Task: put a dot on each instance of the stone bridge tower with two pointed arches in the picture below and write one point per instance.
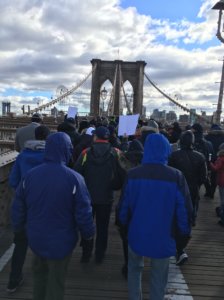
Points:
(113, 71)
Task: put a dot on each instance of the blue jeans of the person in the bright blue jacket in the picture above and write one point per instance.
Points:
(158, 276)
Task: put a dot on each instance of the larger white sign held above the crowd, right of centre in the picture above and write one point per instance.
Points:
(127, 125)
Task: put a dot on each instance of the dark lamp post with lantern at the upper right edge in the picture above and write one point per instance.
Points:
(220, 7)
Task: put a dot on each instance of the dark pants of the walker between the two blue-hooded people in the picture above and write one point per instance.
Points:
(102, 214)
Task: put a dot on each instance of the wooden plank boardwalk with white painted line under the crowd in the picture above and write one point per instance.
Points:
(202, 277)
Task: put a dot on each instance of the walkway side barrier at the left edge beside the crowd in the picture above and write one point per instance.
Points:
(6, 193)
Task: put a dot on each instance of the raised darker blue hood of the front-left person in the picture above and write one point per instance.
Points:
(58, 148)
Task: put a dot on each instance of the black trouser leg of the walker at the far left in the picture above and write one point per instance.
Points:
(18, 257)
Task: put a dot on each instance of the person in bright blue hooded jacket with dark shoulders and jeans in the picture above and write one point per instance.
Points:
(156, 207)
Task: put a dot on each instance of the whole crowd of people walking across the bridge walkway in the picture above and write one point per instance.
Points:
(64, 189)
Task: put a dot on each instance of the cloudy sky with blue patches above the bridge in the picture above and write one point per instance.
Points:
(48, 44)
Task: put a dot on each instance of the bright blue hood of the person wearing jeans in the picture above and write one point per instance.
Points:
(156, 149)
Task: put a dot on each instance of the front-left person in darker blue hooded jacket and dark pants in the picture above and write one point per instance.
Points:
(53, 204)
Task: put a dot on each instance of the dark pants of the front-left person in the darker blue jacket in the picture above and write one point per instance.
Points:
(49, 278)
